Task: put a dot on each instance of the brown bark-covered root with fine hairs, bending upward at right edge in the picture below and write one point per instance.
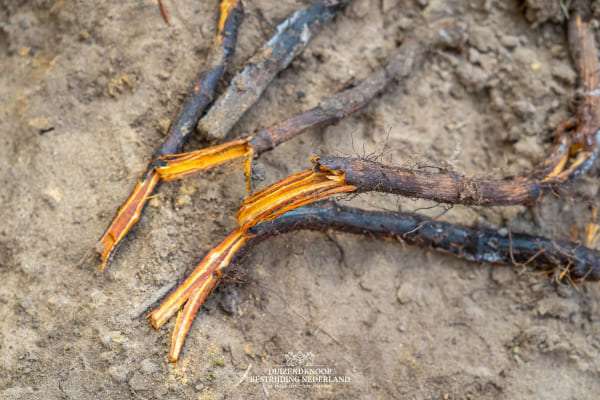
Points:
(579, 149)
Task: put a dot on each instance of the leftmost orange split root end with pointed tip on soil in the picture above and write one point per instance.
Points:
(126, 217)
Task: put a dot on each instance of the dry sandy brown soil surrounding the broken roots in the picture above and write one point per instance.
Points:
(86, 91)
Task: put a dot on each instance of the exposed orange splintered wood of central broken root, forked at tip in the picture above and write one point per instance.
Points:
(295, 191)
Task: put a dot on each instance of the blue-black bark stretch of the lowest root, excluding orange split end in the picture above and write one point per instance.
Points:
(479, 245)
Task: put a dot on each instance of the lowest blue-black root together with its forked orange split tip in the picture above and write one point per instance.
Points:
(473, 244)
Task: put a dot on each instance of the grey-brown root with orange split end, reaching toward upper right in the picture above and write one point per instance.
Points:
(400, 65)
